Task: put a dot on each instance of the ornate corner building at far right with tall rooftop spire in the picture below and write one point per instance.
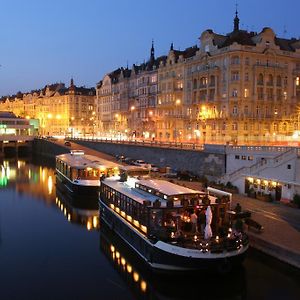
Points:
(244, 87)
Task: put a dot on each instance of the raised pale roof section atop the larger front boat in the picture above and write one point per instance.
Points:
(168, 188)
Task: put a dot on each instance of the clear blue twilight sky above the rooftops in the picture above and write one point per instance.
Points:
(48, 41)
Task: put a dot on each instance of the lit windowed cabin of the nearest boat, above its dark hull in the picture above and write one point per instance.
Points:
(161, 209)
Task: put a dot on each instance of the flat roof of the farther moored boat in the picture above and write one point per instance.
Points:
(85, 160)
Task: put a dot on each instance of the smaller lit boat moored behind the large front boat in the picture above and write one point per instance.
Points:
(80, 172)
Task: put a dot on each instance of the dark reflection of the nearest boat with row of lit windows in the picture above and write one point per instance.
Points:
(149, 285)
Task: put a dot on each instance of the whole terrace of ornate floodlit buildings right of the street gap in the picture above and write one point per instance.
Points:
(243, 87)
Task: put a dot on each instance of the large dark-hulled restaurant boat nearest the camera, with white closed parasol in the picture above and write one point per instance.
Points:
(155, 218)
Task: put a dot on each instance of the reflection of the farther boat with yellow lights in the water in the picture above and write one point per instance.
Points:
(83, 211)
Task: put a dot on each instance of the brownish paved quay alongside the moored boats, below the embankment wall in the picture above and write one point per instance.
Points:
(281, 235)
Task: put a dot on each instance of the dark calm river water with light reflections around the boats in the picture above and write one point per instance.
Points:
(53, 247)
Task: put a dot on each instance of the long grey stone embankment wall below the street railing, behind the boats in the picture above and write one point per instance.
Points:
(209, 162)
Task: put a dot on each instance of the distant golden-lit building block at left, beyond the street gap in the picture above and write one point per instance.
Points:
(60, 110)
